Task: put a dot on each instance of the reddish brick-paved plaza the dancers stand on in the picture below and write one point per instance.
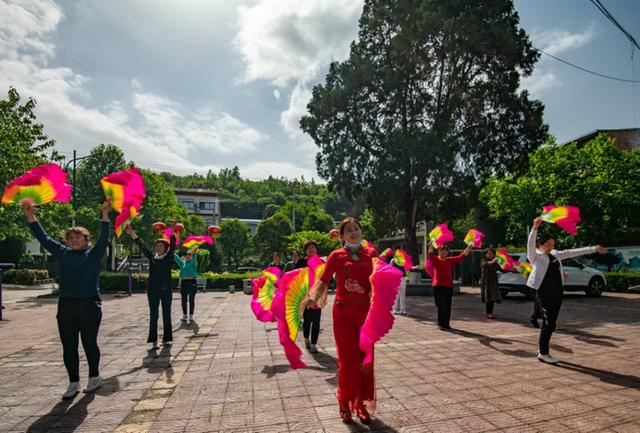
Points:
(227, 373)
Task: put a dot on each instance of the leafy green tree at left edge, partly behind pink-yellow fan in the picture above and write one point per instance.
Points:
(24, 145)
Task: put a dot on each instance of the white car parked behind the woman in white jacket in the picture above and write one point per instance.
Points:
(577, 277)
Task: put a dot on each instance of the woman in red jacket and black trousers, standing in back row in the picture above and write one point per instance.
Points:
(442, 282)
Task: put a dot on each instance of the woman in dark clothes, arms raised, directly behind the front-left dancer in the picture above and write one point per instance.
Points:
(159, 292)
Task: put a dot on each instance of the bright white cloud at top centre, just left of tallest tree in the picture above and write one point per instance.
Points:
(290, 43)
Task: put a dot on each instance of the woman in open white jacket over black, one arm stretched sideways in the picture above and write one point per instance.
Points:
(546, 278)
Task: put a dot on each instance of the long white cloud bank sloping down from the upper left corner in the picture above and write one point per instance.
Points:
(150, 128)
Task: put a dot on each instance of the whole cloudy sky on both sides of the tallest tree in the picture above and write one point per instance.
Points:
(191, 85)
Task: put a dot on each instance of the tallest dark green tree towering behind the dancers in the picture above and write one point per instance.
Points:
(426, 105)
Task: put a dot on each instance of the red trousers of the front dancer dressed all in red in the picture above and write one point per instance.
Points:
(356, 383)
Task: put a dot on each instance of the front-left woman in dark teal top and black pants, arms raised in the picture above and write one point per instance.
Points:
(79, 304)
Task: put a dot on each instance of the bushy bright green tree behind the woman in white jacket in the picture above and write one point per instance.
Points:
(597, 177)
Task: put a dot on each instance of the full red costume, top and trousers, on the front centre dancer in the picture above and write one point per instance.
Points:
(356, 384)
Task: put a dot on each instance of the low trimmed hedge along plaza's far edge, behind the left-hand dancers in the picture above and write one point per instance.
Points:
(115, 281)
